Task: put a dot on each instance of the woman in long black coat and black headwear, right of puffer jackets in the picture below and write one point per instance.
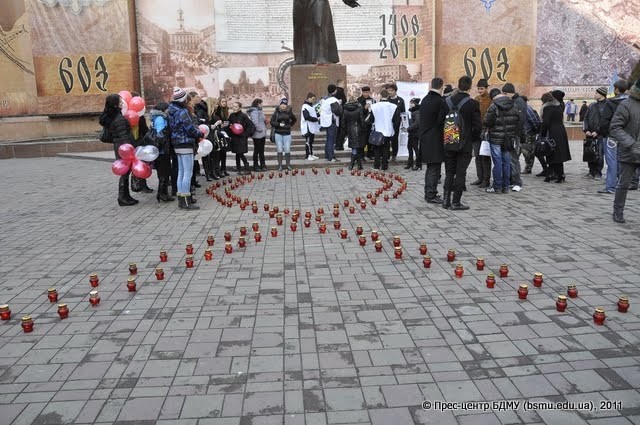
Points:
(553, 127)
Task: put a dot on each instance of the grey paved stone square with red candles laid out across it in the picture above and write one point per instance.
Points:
(308, 328)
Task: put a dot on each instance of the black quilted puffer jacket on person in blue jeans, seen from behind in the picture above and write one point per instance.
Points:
(502, 120)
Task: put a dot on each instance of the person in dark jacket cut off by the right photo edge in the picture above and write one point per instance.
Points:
(625, 128)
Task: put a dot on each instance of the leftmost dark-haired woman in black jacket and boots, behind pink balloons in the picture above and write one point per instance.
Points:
(121, 134)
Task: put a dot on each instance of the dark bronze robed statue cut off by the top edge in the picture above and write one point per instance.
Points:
(314, 40)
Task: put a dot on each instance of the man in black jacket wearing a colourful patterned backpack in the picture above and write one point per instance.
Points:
(456, 163)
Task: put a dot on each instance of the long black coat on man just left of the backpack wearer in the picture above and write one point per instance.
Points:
(430, 128)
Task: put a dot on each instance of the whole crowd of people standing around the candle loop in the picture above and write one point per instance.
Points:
(447, 127)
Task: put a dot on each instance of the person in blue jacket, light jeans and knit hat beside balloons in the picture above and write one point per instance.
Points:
(183, 137)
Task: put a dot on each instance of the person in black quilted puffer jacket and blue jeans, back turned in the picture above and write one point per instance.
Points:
(502, 123)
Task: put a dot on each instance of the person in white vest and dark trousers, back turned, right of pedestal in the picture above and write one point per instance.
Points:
(385, 116)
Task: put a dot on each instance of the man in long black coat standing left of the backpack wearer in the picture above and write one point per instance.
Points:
(431, 148)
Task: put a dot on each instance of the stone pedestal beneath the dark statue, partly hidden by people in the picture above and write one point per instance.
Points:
(314, 79)
